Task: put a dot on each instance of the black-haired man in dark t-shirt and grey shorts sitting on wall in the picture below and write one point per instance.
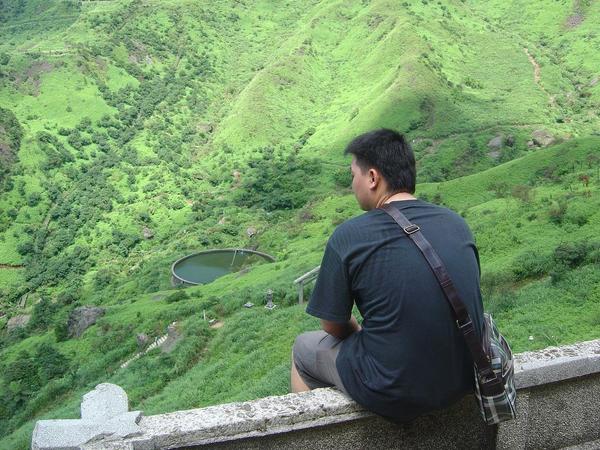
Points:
(408, 356)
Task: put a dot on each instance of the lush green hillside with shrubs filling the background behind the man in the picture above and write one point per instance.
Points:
(222, 124)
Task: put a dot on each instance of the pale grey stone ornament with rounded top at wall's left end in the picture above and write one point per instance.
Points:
(104, 415)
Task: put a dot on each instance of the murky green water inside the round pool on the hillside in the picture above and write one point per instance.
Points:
(206, 267)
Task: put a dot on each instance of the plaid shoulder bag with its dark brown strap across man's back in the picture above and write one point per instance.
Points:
(493, 362)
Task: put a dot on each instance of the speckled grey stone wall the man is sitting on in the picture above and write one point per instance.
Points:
(558, 407)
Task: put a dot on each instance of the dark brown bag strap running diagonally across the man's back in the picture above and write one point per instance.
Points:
(461, 314)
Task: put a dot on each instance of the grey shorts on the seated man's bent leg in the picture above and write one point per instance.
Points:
(314, 354)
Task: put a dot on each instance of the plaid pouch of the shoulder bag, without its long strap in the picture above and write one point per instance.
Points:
(496, 393)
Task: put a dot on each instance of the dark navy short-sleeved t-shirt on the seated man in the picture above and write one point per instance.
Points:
(409, 357)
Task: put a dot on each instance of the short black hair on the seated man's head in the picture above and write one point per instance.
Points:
(389, 153)
